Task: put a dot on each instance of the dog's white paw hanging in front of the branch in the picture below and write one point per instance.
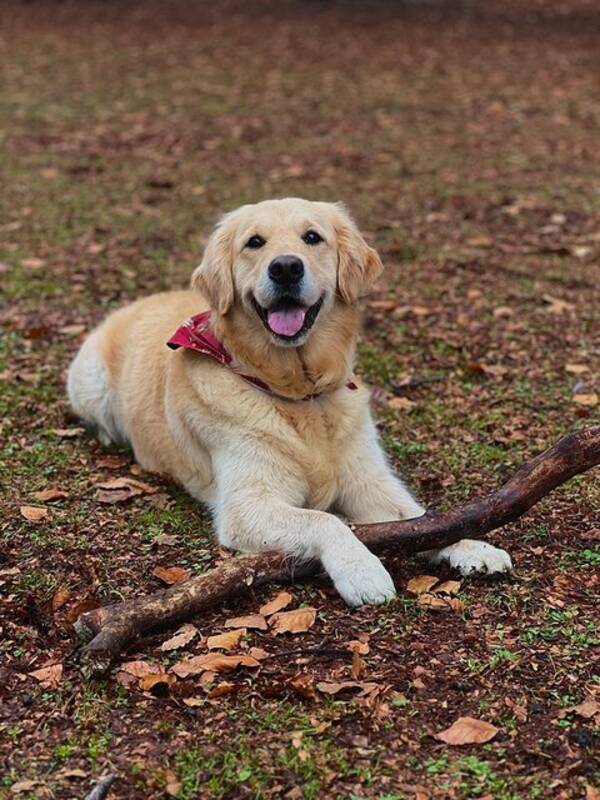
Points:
(359, 576)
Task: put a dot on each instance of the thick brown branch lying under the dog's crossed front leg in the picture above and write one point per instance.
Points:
(113, 627)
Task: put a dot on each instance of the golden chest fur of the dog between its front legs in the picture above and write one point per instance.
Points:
(324, 431)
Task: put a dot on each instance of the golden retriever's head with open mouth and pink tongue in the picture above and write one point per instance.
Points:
(287, 263)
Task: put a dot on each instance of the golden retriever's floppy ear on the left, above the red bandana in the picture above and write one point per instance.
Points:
(214, 277)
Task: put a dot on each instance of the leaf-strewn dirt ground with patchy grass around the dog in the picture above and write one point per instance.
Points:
(465, 138)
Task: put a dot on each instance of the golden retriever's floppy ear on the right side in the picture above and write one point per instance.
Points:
(359, 265)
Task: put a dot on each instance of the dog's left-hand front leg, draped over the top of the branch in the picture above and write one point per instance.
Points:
(257, 508)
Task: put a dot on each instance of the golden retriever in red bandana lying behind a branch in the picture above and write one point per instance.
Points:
(254, 407)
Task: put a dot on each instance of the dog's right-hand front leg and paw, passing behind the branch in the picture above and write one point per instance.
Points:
(370, 492)
